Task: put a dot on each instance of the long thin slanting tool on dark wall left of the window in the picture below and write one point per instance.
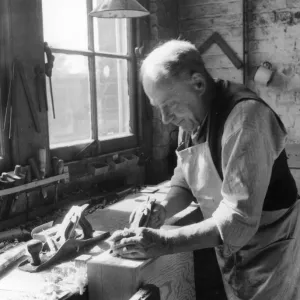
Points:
(20, 70)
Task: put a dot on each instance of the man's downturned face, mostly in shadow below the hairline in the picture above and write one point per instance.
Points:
(178, 102)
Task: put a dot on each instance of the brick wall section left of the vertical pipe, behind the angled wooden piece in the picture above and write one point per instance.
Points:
(199, 19)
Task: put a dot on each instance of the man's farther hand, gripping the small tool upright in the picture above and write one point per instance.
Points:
(156, 219)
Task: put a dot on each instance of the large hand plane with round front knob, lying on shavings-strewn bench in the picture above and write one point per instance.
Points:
(53, 245)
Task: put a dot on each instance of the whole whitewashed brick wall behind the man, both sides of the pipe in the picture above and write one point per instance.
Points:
(273, 35)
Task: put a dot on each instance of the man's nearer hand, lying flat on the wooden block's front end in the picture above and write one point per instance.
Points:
(141, 243)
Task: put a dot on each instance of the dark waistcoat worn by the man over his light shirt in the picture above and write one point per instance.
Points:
(282, 190)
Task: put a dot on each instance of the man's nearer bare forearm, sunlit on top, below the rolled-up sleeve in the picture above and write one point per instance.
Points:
(197, 236)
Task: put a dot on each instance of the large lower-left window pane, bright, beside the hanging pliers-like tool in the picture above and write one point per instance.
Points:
(70, 82)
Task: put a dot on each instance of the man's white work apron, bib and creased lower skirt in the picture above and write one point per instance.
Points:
(268, 267)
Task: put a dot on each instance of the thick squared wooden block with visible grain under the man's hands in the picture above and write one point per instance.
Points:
(113, 278)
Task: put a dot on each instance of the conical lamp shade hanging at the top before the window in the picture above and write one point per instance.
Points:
(119, 9)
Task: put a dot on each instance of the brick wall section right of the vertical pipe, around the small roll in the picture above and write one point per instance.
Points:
(274, 28)
